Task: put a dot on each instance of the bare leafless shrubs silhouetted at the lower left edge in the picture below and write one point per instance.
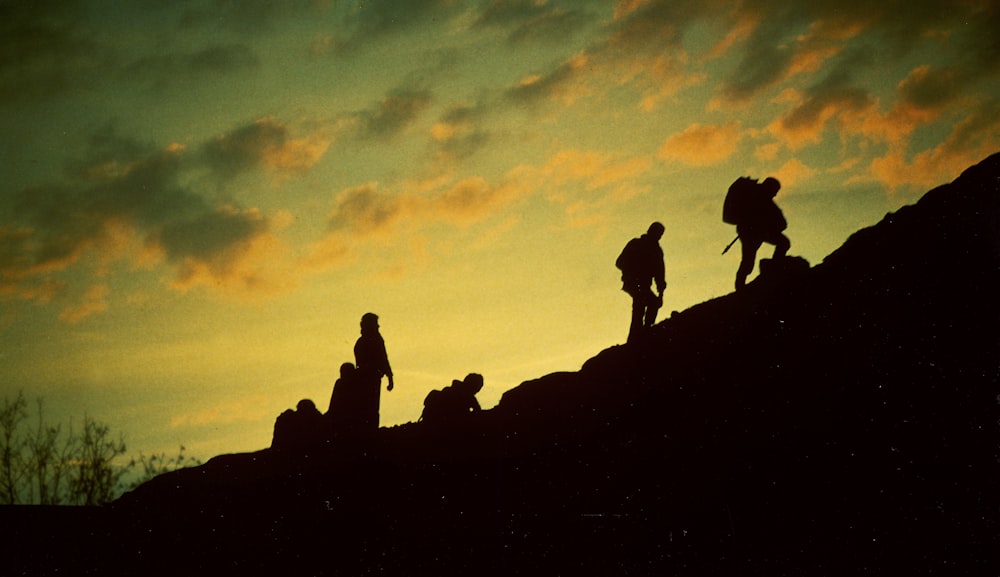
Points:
(46, 464)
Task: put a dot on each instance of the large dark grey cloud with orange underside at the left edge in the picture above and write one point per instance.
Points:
(129, 201)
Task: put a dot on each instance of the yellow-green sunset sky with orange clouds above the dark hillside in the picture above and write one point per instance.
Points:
(200, 199)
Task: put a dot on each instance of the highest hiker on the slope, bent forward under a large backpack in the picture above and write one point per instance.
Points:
(750, 206)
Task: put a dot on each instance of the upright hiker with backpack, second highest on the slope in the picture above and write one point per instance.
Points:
(641, 263)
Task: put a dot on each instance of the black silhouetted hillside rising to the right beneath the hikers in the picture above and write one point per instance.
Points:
(833, 420)
